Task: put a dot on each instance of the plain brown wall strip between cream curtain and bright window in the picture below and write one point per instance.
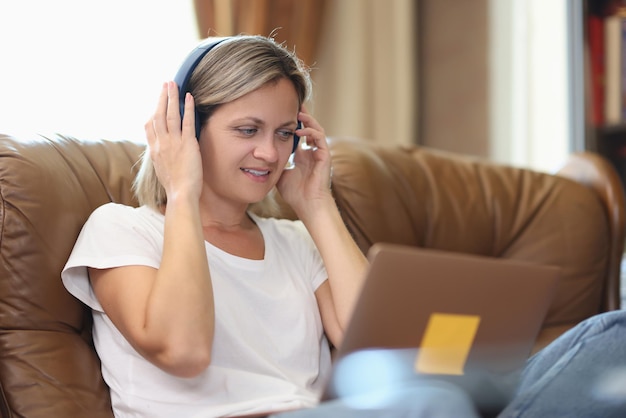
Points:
(454, 75)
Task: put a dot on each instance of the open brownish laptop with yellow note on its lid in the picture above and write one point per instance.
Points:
(466, 320)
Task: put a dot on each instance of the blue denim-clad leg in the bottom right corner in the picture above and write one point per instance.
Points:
(581, 374)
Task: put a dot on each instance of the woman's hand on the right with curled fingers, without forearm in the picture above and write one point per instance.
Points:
(308, 184)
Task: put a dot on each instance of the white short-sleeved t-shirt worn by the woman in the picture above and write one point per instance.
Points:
(269, 349)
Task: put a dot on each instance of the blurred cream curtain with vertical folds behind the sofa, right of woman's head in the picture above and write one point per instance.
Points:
(366, 72)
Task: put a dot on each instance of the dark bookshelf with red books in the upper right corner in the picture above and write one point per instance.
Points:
(605, 80)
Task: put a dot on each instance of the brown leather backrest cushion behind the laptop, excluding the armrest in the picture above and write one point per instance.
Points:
(435, 199)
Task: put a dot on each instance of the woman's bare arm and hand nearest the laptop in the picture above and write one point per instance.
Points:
(307, 190)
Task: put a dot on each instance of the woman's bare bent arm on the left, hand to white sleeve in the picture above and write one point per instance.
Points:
(167, 314)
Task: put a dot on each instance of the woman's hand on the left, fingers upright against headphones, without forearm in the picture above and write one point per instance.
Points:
(175, 152)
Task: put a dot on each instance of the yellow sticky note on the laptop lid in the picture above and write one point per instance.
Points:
(446, 343)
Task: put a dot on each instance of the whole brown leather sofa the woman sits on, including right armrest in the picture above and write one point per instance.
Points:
(414, 196)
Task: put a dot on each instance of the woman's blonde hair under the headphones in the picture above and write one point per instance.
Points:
(231, 69)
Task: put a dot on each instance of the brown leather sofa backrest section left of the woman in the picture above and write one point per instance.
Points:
(48, 188)
